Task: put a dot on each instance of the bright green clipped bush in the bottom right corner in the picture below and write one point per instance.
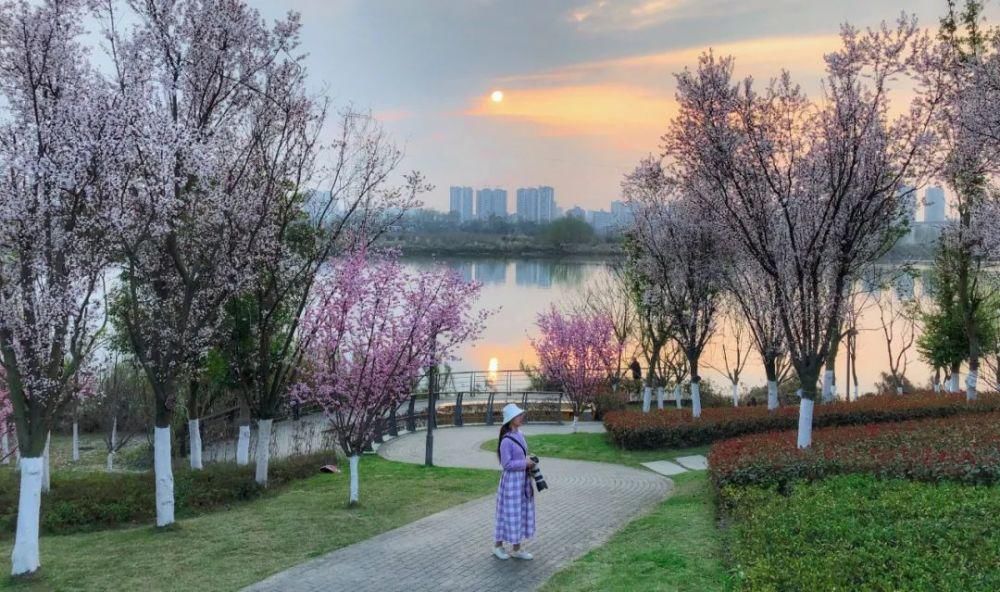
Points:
(862, 533)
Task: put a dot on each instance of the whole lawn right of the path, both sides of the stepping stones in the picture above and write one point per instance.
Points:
(675, 547)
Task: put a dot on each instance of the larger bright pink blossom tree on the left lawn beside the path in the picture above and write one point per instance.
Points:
(374, 330)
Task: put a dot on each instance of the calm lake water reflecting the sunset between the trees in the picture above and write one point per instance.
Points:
(522, 288)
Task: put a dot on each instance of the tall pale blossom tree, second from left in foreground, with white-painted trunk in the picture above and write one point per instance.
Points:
(220, 127)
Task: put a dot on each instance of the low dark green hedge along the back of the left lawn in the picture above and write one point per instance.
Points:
(95, 501)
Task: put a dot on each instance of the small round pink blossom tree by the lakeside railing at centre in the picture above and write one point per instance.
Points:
(577, 351)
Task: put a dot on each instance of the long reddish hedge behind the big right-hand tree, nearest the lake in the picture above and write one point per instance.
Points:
(678, 429)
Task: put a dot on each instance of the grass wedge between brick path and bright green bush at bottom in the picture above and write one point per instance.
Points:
(676, 547)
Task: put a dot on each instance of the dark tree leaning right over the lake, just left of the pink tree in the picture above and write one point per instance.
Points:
(262, 343)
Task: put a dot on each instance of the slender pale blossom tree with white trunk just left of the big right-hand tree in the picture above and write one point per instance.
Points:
(684, 258)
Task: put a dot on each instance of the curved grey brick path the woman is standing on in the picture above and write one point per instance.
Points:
(585, 504)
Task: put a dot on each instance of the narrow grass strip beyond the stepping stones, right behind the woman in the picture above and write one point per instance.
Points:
(597, 448)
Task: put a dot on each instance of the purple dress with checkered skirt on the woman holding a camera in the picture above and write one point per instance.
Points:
(515, 497)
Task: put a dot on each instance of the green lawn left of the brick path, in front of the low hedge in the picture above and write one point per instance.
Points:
(227, 550)
